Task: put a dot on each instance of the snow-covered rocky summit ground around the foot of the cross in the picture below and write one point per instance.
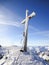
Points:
(13, 56)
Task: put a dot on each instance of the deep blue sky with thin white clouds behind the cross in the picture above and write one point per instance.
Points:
(12, 12)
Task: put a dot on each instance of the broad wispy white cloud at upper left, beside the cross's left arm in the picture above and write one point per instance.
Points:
(7, 17)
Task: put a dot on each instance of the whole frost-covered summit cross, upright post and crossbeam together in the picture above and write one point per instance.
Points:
(25, 22)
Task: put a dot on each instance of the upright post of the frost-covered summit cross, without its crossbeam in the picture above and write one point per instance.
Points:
(26, 31)
